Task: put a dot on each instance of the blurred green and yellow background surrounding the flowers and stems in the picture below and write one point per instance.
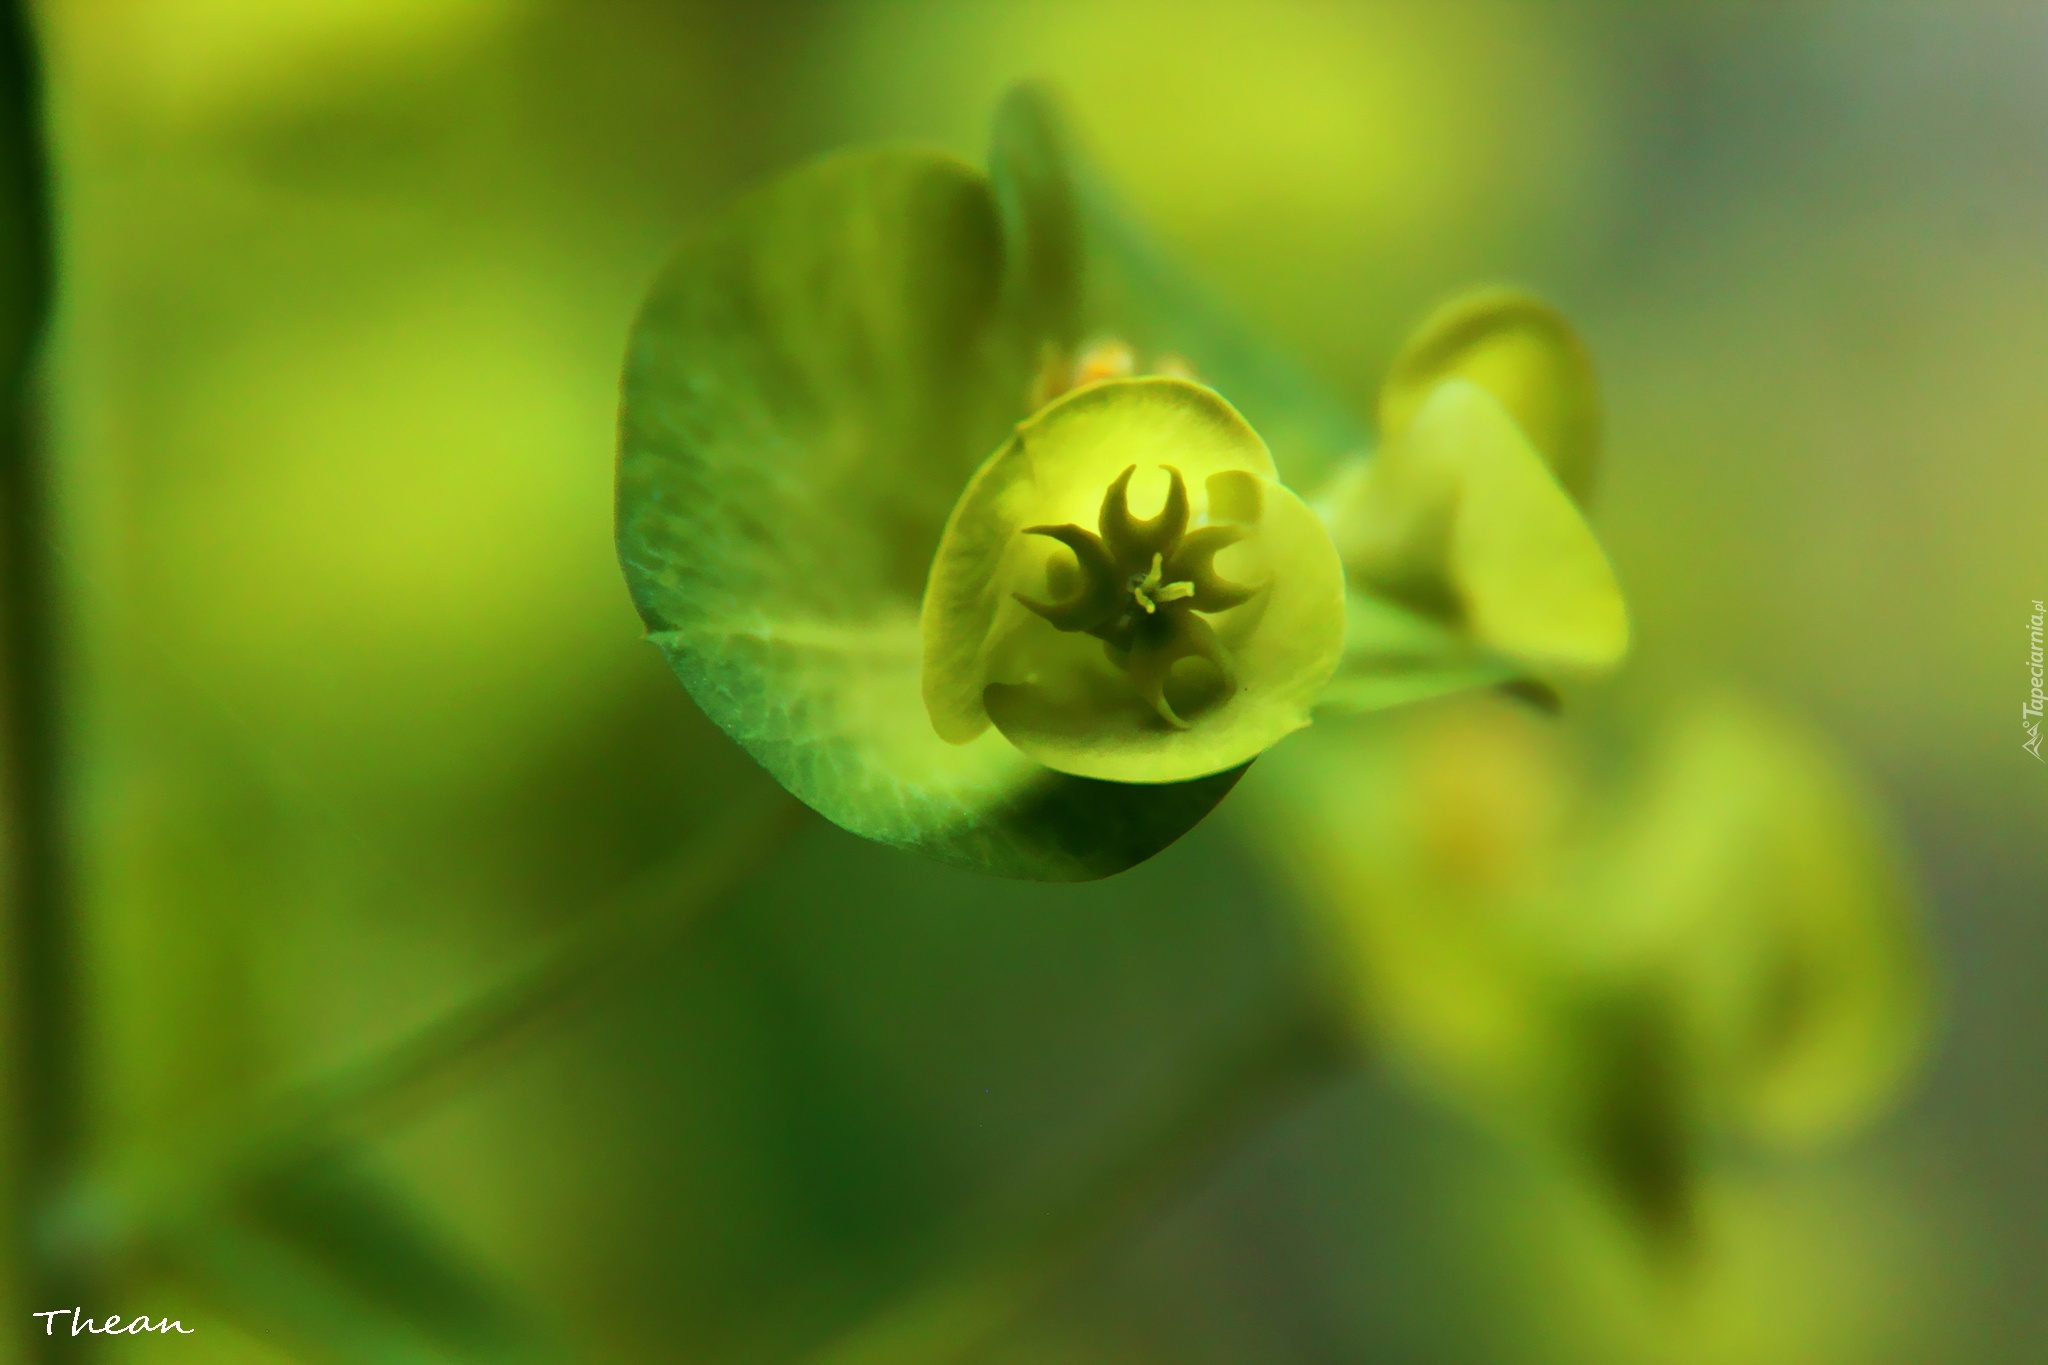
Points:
(364, 711)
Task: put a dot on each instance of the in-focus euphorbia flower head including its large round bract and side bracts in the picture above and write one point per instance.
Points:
(976, 590)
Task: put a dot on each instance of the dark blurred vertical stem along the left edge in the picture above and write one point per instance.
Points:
(42, 928)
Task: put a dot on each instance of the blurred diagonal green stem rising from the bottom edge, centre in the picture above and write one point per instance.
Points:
(988, 1288)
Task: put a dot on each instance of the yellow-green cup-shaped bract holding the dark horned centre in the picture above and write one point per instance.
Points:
(1127, 590)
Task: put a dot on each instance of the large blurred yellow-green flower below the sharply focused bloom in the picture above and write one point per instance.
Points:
(1721, 946)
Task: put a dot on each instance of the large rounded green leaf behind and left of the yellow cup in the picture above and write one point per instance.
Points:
(810, 388)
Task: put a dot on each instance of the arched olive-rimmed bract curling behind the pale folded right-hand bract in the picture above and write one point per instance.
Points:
(1523, 353)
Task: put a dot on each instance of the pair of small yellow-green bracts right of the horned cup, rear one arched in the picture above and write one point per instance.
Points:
(1463, 539)
